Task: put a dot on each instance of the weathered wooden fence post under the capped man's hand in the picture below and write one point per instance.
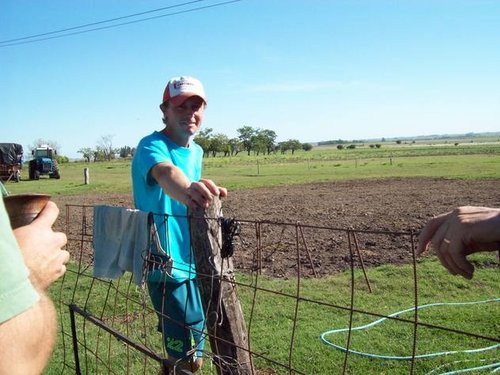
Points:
(225, 322)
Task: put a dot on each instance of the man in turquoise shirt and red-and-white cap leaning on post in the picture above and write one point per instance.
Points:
(166, 179)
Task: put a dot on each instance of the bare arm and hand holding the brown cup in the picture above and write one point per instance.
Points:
(27, 339)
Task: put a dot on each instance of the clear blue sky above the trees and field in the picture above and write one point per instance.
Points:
(311, 70)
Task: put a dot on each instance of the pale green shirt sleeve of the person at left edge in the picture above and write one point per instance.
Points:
(16, 291)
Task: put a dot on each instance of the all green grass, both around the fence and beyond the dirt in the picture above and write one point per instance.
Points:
(315, 312)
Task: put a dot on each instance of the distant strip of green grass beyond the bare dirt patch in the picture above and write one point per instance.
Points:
(471, 161)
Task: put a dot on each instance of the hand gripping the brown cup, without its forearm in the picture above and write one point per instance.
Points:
(41, 248)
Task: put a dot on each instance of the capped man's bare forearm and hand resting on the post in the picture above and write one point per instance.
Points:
(177, 186)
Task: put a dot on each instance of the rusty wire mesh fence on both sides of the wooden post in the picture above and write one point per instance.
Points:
(299, 317)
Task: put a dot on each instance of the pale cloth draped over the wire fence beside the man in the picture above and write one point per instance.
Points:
(121, 241)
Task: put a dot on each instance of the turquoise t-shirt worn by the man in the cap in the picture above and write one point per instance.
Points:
(173, 228)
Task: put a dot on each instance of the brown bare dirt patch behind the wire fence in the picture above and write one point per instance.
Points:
(382, 205)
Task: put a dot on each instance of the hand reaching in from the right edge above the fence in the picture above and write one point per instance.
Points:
(461, 232)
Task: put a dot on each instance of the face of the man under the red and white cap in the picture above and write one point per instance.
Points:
(186, 119)
